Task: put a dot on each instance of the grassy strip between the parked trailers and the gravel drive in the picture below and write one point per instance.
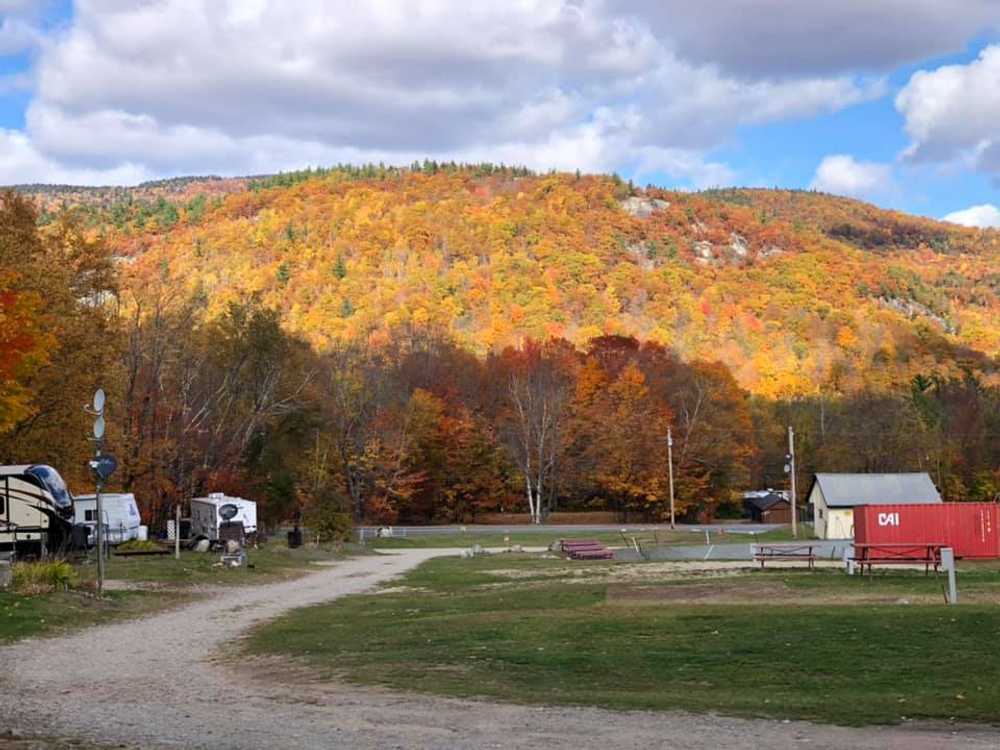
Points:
(54, 613)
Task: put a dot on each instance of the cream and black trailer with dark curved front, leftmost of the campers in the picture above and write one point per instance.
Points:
(36, 509)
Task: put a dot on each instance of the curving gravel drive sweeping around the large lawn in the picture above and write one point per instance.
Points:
(152, 683)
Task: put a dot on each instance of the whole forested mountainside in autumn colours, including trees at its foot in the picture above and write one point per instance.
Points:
(250, 324)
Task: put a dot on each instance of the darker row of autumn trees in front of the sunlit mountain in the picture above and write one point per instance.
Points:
(412, 427)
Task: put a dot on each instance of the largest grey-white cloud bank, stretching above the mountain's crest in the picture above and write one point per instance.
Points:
(232, 86)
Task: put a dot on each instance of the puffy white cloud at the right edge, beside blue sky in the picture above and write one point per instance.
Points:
(953, 113)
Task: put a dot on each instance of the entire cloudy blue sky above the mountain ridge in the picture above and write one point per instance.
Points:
(892, 101)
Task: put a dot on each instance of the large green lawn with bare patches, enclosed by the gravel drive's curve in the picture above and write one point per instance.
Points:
(819, 646)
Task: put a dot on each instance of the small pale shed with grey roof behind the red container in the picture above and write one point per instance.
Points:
(833, 497)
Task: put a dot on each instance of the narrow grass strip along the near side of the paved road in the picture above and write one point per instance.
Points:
(544, 538)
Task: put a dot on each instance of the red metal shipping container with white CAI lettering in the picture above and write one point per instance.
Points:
(971, 529)
